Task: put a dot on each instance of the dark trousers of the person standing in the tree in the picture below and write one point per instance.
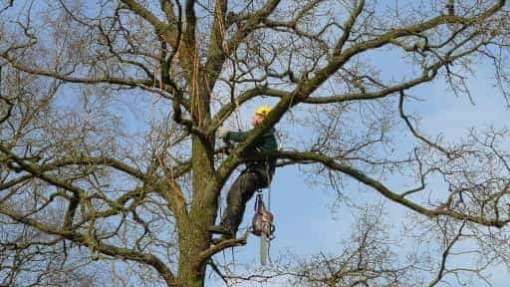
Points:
(239, 194)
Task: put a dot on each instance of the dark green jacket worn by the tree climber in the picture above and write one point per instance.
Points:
(265, 143)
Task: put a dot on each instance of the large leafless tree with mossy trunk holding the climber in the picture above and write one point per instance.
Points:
(109, 111)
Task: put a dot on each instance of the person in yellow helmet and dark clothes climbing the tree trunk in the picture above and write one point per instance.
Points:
(256, 175)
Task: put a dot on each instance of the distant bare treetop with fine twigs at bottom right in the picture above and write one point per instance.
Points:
(374, 255)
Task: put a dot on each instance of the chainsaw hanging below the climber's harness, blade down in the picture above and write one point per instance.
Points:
(262, 226)
